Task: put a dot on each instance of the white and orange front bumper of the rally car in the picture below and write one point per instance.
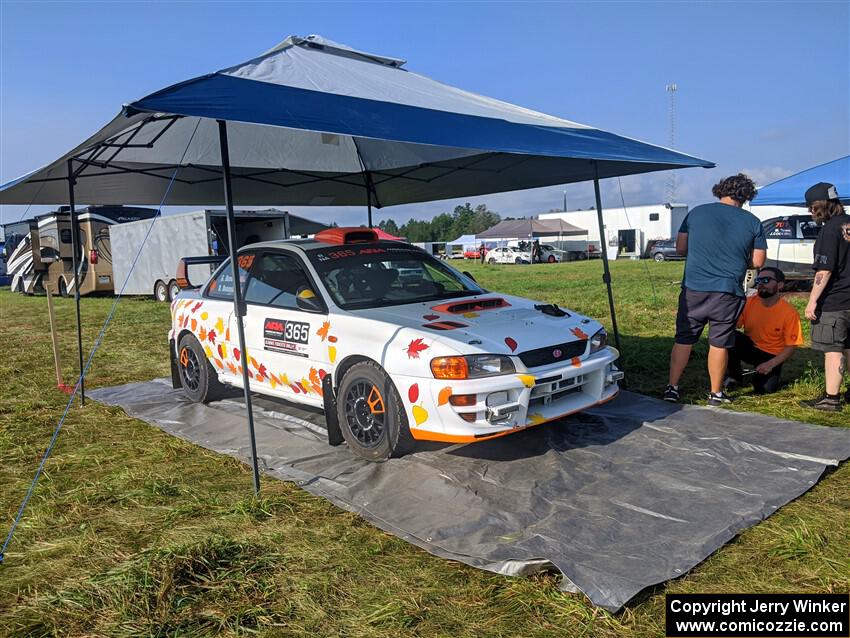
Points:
(506, 403)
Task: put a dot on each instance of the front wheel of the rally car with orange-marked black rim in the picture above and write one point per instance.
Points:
(371, 416)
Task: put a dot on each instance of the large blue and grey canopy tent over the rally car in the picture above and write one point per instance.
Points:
(313, 122)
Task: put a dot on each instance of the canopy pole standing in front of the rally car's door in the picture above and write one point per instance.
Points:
(238, 303)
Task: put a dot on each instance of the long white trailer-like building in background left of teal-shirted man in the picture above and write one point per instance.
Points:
(631, 228)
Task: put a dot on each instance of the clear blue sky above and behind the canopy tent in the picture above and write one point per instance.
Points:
(764, 87)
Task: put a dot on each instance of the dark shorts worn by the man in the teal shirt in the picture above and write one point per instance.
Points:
(718, 309)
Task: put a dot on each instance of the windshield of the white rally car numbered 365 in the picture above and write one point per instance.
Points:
(372, 276)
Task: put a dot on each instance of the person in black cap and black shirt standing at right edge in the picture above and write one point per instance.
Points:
(829, 302)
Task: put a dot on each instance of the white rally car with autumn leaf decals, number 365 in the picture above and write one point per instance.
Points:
(392, 343)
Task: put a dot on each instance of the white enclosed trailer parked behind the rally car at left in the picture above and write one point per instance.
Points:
(193, 234)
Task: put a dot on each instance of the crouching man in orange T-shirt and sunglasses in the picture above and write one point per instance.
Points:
(771, 334)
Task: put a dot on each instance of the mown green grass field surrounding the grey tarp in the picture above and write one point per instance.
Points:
(133, 532)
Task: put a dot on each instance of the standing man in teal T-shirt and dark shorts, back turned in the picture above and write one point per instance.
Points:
(720, 241)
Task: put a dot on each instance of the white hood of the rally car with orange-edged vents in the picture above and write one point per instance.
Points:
(489, 323)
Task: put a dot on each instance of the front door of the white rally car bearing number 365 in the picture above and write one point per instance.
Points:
(283, 340)
